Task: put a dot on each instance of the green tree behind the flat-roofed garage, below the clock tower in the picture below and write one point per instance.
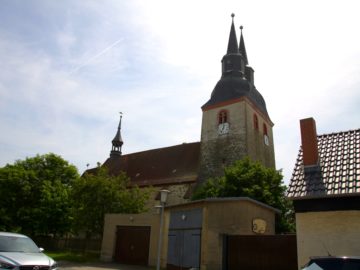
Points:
(250, 179)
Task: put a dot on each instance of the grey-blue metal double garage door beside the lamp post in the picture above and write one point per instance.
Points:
(184, 241)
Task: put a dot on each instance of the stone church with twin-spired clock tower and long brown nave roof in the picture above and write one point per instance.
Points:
(235, 124)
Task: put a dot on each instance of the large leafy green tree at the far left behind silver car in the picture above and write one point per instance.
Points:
(35, 195)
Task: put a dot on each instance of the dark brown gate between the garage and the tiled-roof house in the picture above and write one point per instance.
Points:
(264, 252)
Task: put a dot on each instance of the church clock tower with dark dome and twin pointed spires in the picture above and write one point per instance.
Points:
(235, 122)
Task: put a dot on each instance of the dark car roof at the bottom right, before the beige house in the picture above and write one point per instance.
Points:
(333, 263)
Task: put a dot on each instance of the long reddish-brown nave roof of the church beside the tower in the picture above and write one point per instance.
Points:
(170, 165)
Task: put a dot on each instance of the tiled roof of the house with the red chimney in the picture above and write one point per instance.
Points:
(339, 171)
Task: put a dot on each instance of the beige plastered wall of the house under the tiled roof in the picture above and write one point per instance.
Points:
(320, 233)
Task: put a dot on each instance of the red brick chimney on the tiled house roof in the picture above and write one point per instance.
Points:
(309, 142)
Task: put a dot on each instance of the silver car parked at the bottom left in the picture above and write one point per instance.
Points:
(19, 252)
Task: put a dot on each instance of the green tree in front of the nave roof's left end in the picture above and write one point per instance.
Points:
(98, 193)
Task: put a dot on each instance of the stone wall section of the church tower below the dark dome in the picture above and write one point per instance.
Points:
(218, 151)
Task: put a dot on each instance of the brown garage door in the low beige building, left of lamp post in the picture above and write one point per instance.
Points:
(132, 245)
